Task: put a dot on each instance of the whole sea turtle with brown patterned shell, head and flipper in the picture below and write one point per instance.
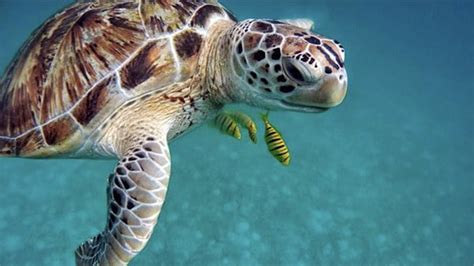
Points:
(121, 79)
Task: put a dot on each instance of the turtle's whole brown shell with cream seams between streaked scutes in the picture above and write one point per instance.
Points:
(89, 59)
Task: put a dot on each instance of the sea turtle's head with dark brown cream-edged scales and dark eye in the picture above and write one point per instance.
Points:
(280, 65)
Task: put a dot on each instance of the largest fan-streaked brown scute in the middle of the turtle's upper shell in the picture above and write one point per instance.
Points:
(94, 47)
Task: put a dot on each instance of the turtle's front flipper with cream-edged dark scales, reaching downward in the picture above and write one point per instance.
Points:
(135, 195)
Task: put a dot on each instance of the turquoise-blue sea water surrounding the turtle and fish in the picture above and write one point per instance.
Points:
(384, 179)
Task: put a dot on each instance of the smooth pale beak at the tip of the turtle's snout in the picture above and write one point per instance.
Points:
(328, 92)
